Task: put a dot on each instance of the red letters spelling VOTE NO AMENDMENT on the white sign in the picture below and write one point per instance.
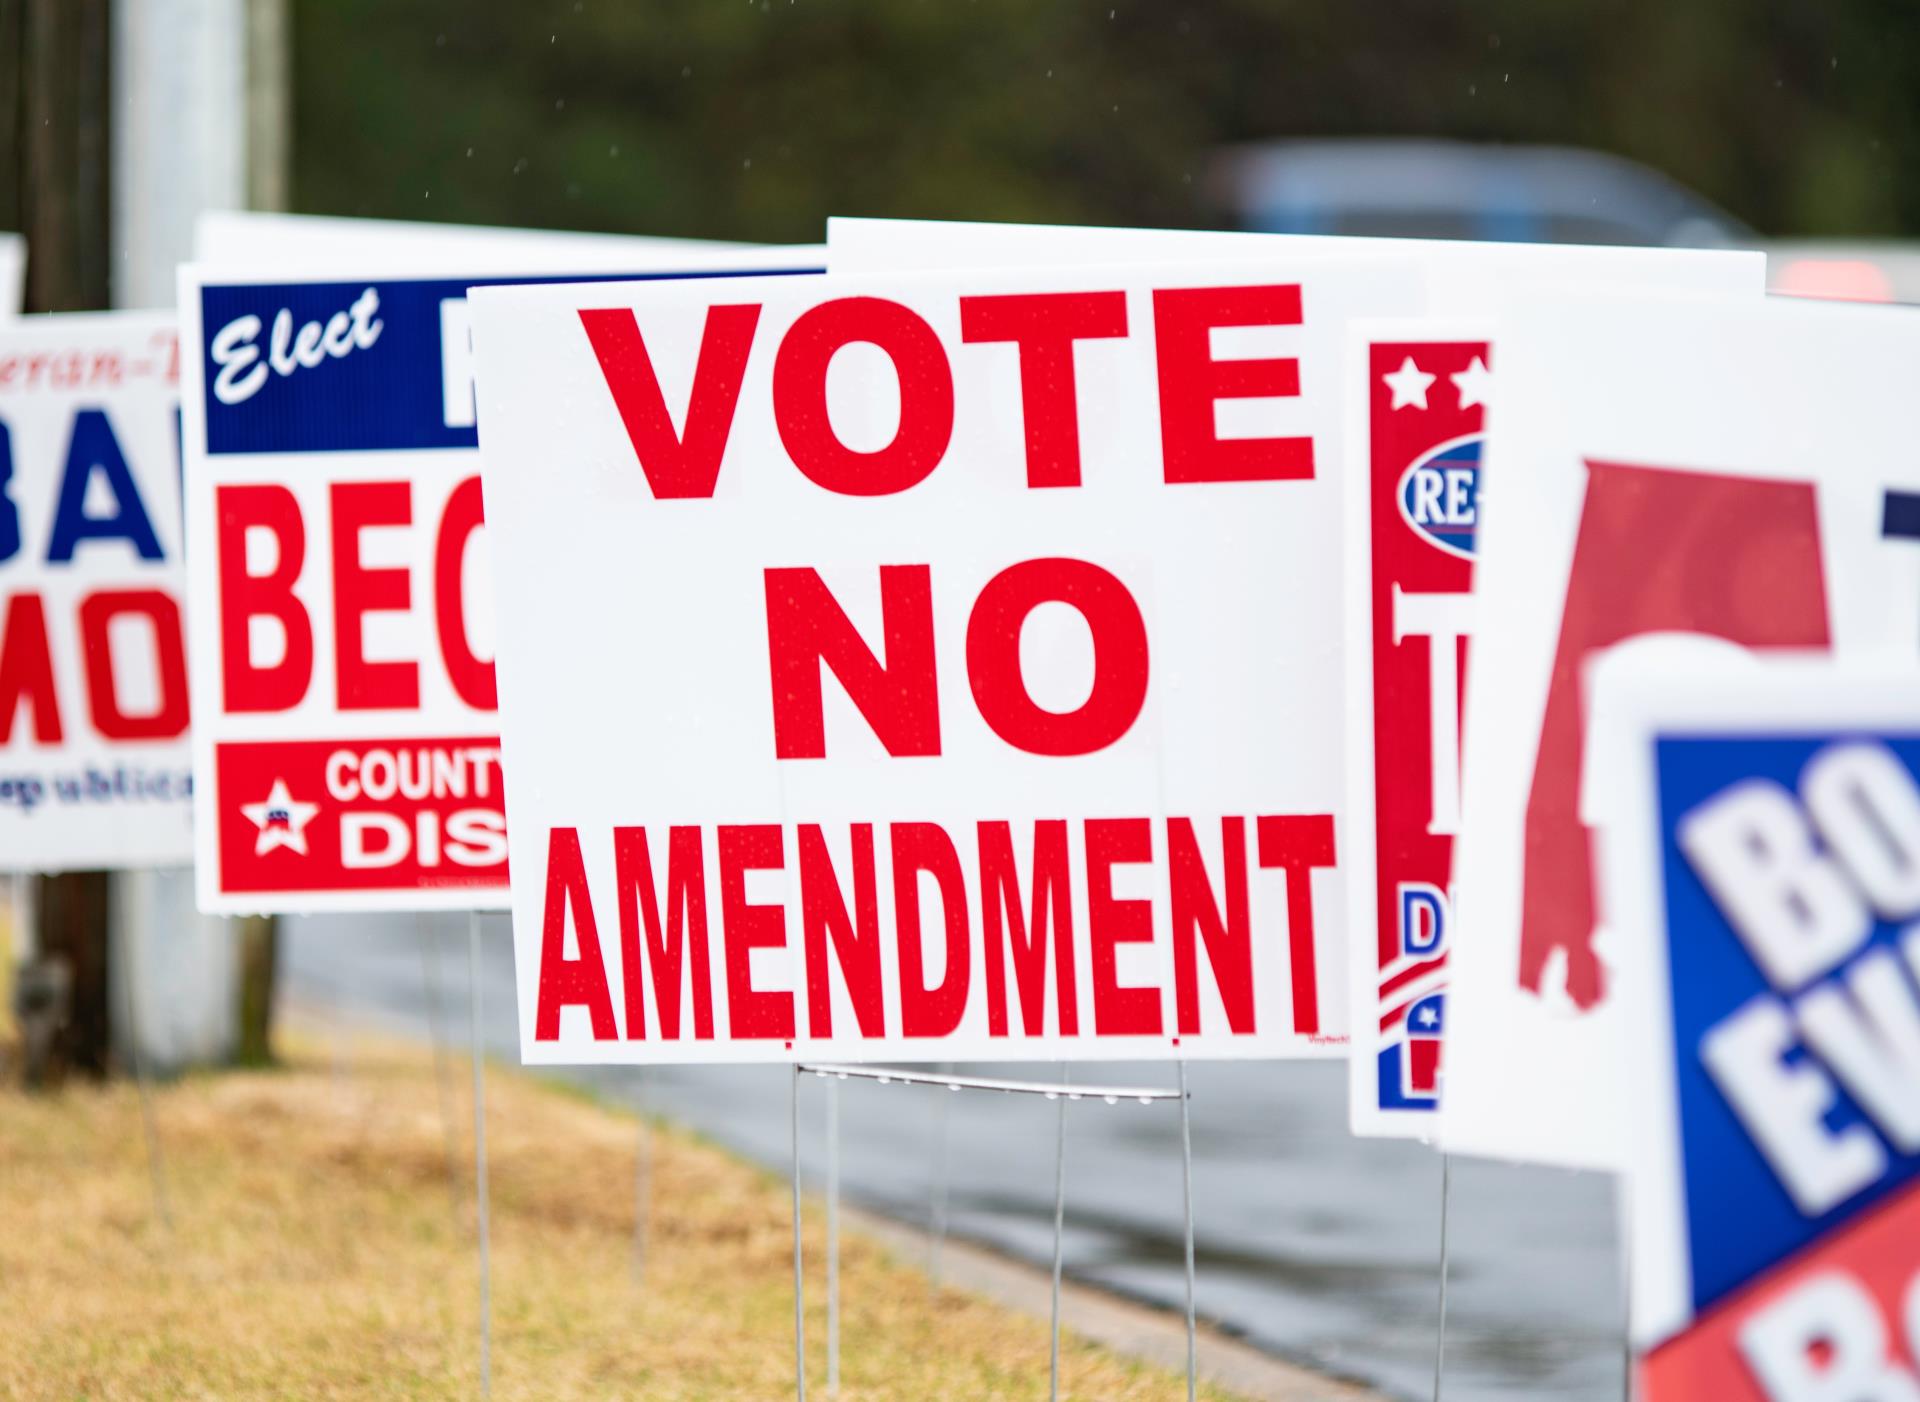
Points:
(683, 913)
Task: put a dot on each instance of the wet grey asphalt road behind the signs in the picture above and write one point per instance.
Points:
(1310, 1244)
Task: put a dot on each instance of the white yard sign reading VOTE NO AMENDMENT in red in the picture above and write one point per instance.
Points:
(924, 667)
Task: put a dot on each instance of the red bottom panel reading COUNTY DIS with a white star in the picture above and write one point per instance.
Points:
(389, 815)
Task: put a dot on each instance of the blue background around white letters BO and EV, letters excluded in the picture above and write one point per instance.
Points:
(1740, 1217)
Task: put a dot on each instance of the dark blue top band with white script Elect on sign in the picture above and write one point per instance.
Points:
(329, 368)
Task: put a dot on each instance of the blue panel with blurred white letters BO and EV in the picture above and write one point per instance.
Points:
(1788, 1088)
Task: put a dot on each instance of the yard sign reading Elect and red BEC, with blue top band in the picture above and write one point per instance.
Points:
(347, 748)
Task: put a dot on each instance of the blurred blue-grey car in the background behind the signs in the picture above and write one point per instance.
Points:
(1537, 195)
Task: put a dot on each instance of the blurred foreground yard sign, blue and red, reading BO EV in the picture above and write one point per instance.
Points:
(1765, 865)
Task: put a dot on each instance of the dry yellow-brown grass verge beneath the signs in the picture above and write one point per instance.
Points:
(318, 1253)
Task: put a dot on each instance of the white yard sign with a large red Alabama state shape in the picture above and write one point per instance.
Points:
(1671, 475)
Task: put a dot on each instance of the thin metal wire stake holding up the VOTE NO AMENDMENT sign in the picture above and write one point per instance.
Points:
(1063, 1092)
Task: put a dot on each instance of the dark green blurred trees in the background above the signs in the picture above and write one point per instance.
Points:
(757, 118)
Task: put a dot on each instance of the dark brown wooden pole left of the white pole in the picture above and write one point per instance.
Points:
(55, 139)
